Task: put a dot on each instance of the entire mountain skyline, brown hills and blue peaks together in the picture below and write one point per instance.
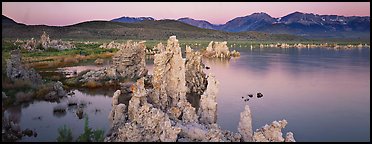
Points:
(257, 26)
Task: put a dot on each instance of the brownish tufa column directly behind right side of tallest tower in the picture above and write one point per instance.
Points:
(196, 81)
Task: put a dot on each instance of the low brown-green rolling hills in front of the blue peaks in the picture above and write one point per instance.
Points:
(142, 29)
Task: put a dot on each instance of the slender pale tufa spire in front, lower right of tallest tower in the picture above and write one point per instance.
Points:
(208, 102)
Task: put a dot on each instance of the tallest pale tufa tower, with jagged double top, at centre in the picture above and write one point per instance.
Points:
(169, 75)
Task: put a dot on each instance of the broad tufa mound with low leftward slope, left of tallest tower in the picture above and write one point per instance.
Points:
(128, 62)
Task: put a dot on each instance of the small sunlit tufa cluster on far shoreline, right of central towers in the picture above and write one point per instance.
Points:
(219, 50)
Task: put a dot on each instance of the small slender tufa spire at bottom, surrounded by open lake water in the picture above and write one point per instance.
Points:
(245, 124)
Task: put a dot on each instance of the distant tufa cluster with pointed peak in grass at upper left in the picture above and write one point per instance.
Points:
(45, 43)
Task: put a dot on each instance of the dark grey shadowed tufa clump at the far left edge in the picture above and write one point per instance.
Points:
(15, 70)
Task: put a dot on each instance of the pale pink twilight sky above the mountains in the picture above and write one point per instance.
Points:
(68, 13)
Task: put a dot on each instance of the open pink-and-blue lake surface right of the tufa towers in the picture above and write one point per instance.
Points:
(314, 89)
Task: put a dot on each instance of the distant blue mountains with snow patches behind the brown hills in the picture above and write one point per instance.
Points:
(297, 23)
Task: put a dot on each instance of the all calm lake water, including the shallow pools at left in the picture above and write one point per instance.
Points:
(323, 93)
